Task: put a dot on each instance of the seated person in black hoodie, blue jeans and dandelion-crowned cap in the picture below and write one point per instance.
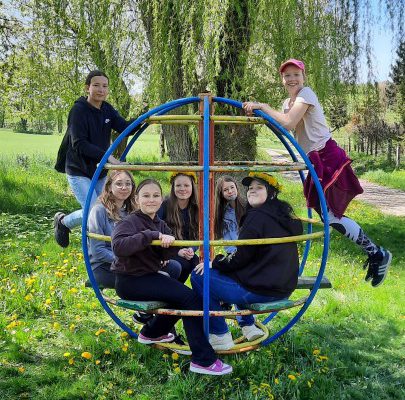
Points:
(254, 274)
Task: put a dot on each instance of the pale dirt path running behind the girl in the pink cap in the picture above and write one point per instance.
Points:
(387, 200)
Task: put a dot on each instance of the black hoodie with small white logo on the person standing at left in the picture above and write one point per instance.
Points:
(89, 136)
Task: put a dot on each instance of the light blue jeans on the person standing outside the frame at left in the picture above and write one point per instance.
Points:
(80, 186)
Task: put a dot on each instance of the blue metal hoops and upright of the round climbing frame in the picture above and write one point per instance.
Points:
(283, 135)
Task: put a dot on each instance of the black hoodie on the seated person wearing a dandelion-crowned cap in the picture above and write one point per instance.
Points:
(270, 270)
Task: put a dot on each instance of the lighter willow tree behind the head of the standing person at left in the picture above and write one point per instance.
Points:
(88, 35)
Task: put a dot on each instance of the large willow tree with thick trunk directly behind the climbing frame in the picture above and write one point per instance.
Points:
(233, 48)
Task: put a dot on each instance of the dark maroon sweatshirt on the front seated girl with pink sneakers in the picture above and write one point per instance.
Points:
(131, 244)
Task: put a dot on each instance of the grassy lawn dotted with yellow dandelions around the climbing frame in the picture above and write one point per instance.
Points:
(56, 341)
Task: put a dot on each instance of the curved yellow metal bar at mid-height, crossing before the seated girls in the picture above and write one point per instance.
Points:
(246, 242)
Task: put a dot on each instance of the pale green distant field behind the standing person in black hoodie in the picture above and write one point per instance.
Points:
(12, 143)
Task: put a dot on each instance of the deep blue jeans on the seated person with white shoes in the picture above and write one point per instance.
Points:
(225, 289)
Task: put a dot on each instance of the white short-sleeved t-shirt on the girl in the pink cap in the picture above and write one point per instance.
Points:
(311, 132)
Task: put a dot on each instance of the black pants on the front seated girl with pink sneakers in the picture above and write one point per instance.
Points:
(162, 288)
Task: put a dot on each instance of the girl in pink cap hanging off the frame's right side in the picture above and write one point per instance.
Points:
(303, 114)
